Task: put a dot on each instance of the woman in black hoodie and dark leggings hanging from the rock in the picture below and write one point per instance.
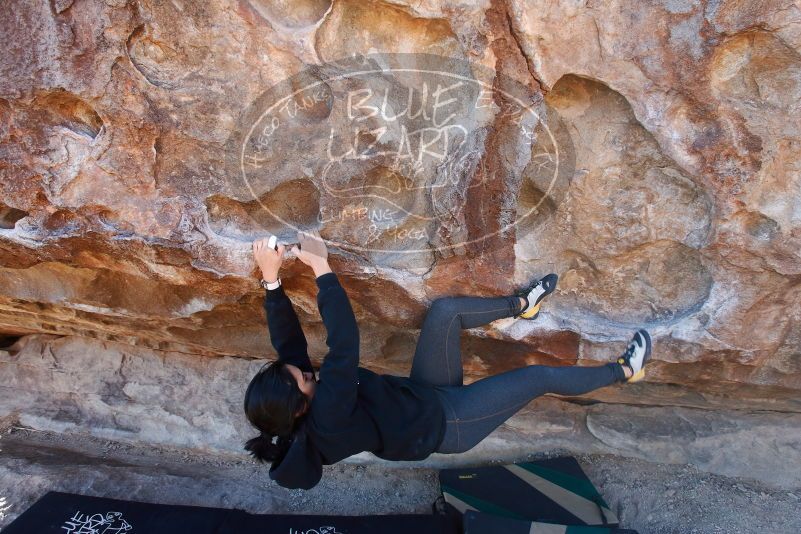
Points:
(306, 422)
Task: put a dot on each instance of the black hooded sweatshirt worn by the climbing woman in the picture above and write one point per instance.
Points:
(353, 409)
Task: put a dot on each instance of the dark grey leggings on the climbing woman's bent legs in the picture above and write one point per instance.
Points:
(472, 412)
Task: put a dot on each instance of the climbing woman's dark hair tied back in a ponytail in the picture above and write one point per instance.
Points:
(271, 402)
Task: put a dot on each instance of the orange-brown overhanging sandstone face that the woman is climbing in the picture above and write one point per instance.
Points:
(128, 202)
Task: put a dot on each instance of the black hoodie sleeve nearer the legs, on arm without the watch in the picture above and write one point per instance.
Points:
(335, 398)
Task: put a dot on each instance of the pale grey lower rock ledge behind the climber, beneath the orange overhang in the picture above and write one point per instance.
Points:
(113, 391)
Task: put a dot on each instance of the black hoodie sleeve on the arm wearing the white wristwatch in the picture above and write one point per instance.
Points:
(286, 334)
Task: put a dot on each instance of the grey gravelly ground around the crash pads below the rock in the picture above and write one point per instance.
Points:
(647, 497)
